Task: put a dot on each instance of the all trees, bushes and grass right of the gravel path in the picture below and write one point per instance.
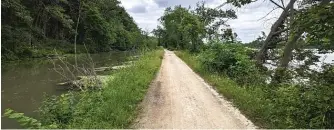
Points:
(282, 97)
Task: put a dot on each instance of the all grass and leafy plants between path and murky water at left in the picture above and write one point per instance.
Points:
(114, 106)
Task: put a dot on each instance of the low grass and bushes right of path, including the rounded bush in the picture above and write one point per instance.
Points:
(279, 106)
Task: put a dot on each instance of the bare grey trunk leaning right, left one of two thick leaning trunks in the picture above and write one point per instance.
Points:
(274, 29)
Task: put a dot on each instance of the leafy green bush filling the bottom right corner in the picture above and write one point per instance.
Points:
(310, 106)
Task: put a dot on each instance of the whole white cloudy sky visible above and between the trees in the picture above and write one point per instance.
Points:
(252, 18)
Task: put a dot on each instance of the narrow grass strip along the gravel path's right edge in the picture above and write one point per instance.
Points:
(251, 102)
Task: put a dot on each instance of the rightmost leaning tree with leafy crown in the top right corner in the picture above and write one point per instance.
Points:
(316, 22)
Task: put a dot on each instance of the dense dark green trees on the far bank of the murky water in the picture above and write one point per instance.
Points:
(33, 28)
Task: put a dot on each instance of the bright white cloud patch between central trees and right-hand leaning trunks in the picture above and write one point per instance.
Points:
(253, 19)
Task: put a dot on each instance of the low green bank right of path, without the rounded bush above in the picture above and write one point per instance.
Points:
(284, 106)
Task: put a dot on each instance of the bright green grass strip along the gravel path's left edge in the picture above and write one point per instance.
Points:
(115, 107)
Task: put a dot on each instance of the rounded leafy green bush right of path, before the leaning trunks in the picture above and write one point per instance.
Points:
(232, 60)
